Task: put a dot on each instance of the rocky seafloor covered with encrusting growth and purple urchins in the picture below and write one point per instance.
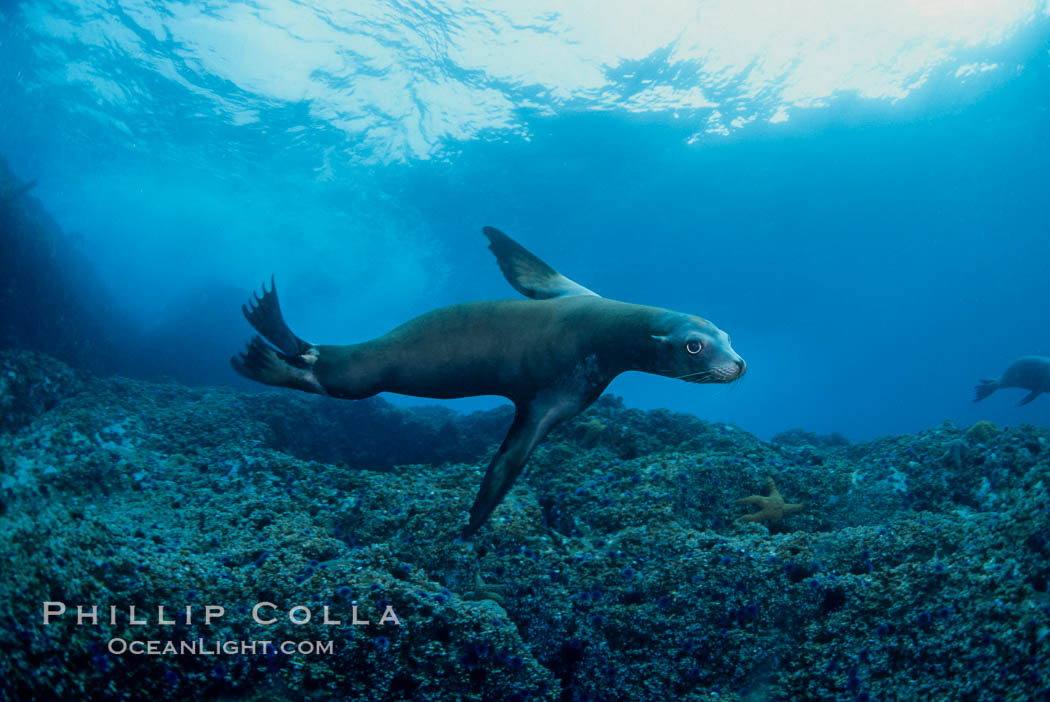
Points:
(619, 570)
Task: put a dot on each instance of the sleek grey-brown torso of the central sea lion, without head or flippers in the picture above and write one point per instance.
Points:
(511, 348)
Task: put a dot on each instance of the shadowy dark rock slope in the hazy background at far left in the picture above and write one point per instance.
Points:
(53, 302)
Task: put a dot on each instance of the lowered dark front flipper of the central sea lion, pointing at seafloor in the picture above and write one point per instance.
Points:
(531, 426)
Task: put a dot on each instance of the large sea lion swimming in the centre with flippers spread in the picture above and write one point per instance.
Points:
(553, 356)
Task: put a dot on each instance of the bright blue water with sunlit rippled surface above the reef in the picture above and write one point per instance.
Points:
(873, 256)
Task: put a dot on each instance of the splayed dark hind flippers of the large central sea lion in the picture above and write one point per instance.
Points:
(289, 361)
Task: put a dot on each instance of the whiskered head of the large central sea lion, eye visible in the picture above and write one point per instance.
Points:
(695, 350)
